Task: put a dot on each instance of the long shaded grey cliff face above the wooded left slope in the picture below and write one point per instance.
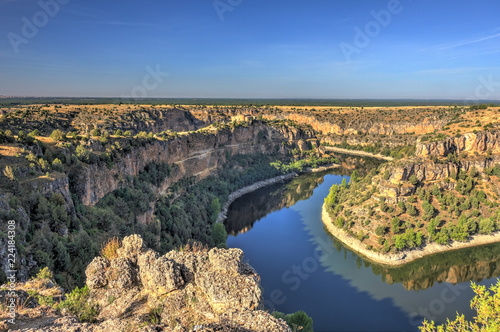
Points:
(195, 154)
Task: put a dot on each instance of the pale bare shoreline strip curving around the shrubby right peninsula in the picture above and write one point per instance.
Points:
(401, 258)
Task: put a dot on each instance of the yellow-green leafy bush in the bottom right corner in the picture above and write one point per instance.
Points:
(486, 320)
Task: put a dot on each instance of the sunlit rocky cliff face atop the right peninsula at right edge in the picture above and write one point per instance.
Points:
(470, 143)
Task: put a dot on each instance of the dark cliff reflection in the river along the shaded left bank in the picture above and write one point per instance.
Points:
(248, 209)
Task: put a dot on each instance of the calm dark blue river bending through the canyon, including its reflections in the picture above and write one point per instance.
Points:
(304, 268)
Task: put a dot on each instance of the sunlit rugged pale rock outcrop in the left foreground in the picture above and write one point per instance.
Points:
(139, 290)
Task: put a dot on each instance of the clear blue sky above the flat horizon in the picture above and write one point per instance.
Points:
(261, 48)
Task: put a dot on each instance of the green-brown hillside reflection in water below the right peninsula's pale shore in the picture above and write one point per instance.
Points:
(471, 264)
